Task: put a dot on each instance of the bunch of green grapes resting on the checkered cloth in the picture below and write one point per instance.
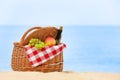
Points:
(37, 43)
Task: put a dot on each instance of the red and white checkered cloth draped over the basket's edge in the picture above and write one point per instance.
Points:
(38, 57)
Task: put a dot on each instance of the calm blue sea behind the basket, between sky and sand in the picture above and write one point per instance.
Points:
(89, 48)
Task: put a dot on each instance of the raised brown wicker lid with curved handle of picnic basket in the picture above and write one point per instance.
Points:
(39, 32)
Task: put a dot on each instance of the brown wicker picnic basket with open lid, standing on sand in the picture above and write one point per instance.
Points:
(20, 61)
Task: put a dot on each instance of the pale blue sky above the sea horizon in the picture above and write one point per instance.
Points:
(59, 12)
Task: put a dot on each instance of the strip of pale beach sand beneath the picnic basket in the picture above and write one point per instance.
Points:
(66, 75)
